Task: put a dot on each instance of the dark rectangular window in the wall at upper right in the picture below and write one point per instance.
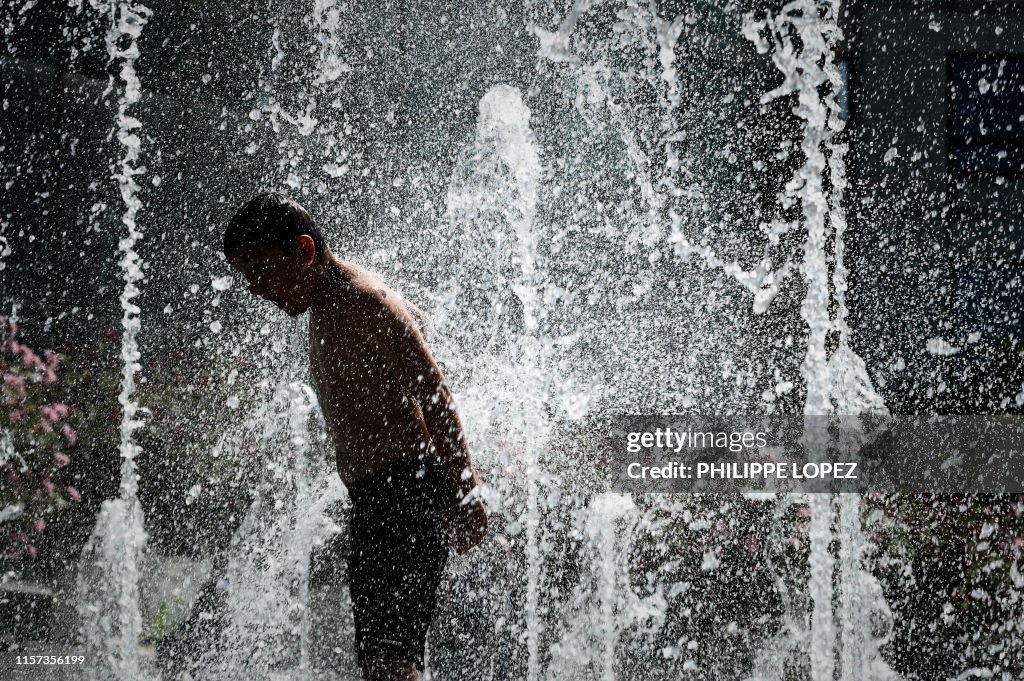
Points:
(987, 114)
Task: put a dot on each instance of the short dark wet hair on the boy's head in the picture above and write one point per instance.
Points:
(272, 219)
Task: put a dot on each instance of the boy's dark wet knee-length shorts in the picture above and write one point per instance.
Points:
(399, 551)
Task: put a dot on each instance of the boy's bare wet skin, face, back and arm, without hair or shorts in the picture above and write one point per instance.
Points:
(382, 395)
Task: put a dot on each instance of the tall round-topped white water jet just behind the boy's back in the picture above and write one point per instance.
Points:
(500, 182)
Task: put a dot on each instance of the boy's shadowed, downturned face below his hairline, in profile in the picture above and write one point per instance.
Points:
(276, 276)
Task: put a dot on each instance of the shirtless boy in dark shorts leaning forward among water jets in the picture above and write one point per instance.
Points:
(399, 442)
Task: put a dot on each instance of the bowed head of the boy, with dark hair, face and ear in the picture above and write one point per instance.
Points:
(277, 245)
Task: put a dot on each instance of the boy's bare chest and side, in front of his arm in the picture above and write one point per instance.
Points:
(372, 418)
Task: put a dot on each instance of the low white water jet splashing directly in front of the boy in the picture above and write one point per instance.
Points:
(267, 583)
